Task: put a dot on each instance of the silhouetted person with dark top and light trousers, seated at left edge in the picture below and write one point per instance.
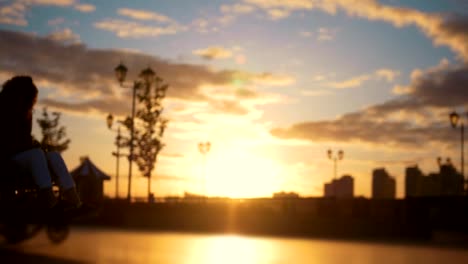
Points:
(17, 99)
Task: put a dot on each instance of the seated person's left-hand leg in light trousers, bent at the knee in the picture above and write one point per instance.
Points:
(34, 163)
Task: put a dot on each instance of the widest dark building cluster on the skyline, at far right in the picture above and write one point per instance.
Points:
(447, 182)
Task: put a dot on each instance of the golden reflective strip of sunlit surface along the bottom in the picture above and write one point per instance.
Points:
(112, 246)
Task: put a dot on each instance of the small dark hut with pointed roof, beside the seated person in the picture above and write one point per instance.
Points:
(89, 181)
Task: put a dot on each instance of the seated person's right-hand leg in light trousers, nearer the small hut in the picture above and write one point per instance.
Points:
(65, 181)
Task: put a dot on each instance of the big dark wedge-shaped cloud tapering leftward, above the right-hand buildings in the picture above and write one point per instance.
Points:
(415, 118)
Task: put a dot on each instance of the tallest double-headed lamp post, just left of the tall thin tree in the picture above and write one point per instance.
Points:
(146, 77)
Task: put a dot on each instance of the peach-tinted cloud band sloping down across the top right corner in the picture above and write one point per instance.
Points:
(447, 30)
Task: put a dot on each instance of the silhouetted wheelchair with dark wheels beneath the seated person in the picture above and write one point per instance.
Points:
(21, 215)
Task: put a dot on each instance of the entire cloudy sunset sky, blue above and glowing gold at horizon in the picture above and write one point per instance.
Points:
(272, 84)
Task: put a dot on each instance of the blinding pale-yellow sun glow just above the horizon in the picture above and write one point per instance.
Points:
(241, 174)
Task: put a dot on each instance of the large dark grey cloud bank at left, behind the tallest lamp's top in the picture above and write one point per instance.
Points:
(76, 68)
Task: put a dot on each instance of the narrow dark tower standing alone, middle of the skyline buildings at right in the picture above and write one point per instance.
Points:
(383, 185)
